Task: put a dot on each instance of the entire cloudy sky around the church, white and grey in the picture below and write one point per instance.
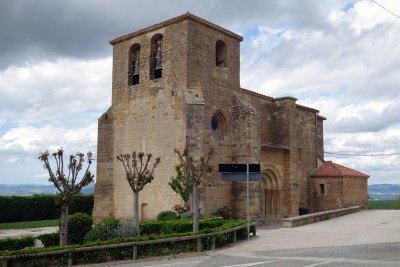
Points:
(339, 56)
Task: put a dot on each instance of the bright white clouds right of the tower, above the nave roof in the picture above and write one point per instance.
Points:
(347, 70)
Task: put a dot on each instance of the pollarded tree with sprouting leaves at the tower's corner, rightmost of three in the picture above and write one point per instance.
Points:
(192, 172)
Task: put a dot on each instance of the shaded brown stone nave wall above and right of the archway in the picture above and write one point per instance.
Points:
(297, 132)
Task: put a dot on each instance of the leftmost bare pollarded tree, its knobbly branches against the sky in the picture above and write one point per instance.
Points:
(67, 185)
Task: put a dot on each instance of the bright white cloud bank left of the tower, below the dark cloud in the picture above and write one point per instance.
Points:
(52, 91)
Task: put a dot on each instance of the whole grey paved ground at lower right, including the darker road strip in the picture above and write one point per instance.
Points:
(366, 238)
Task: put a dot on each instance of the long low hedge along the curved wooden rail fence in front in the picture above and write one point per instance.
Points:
(114, 254)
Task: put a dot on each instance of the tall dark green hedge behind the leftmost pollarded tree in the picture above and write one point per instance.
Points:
(40, 207)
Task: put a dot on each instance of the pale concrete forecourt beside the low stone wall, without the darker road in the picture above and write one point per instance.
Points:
(365, 227)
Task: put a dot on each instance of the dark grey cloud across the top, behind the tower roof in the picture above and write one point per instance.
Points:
(46, 29)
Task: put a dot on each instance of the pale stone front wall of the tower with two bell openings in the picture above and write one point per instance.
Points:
(148, 117)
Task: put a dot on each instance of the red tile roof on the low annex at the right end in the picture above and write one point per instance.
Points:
(330, 169)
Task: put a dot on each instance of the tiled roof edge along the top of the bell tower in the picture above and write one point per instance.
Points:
(167, 22)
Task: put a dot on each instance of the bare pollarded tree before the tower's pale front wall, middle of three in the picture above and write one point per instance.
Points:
(138, 174)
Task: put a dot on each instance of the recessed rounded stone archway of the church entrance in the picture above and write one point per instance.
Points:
(272, 193)
